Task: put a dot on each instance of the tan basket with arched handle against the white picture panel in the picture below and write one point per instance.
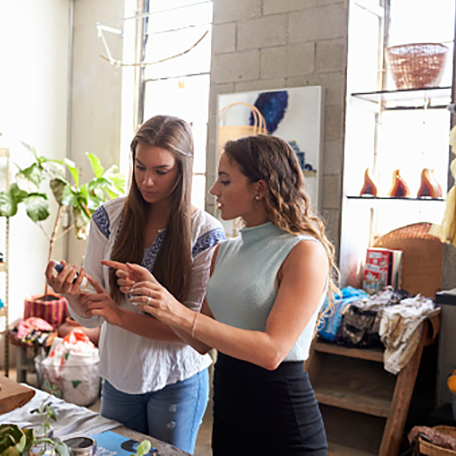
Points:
(231, 132)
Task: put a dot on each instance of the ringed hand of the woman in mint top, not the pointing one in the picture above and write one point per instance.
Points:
(152, 298)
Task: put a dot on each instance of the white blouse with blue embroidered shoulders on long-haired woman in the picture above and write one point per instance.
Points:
(131, 363)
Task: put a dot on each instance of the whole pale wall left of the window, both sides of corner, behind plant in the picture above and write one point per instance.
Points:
(35, 50)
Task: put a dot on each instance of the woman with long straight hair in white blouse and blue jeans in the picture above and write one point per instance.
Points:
(153, 382)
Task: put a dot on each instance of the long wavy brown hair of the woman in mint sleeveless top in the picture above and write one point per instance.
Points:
(286, 203)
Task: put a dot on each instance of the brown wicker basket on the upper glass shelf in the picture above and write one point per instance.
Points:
(417, 65)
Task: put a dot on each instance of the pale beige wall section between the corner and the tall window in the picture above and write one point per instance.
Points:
(96, 105)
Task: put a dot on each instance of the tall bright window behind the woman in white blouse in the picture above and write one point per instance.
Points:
(176, 50)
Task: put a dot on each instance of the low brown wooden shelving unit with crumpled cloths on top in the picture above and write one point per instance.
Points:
(364, 406)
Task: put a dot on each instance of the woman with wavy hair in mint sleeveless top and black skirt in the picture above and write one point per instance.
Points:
(263, 301)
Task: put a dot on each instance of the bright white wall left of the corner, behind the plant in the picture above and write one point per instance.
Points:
(33, 108)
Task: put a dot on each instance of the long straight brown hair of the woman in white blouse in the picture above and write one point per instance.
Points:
(172, 267)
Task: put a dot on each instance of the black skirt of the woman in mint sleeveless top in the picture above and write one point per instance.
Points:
(261, 412)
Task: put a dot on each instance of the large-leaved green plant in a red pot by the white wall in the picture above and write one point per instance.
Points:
(78, 201)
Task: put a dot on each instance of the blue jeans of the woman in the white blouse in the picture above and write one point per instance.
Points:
(172, 414)
